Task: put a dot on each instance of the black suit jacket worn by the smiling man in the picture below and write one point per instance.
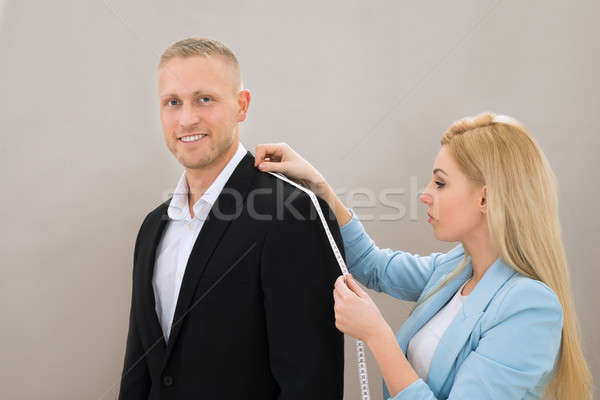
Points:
(254, 318)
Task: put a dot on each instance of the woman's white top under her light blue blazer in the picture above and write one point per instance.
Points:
(423, 344)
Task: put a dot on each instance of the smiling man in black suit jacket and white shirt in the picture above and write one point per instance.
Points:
(233, 275)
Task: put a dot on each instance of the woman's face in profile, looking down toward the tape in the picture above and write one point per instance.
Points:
(455, 207)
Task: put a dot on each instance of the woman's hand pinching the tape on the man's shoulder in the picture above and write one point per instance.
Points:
(282, 158)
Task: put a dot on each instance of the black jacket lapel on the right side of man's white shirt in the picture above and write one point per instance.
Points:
(228, 206)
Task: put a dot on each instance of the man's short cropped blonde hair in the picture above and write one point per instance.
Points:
(202, 47)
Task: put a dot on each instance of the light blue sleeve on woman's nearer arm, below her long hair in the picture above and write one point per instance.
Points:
(515, 356)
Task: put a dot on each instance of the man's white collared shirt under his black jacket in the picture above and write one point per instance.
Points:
(178, 239)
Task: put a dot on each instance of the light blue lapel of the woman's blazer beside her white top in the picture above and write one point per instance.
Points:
(458, 332)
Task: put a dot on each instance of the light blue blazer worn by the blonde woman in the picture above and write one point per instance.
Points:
(503, 344)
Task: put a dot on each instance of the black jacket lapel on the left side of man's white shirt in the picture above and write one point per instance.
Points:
(155, 340)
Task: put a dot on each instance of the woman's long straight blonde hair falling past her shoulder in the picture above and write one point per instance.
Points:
(523, 223)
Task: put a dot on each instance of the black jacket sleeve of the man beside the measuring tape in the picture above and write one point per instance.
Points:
(298, 272)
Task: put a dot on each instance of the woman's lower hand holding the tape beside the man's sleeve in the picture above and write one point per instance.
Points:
(355, 312)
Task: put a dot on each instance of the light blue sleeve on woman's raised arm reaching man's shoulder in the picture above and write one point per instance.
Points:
(397, 273)
